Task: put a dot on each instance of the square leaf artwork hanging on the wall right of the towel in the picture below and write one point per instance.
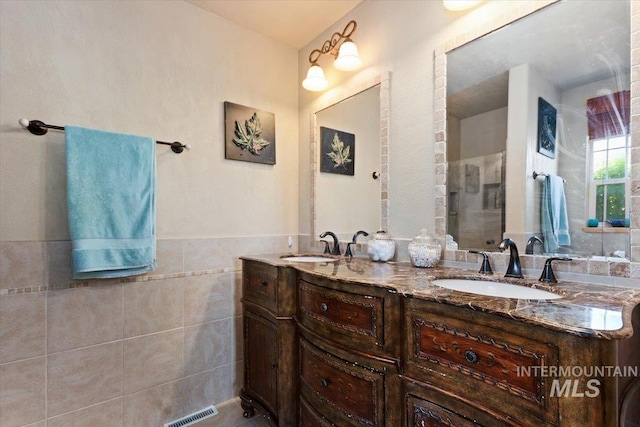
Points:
(250, 134)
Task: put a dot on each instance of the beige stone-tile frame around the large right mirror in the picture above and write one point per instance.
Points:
(621, 268)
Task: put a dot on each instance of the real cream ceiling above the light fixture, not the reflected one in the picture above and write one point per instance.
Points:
(292, 22)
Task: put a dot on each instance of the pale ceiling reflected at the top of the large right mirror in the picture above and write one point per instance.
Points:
(569, 52)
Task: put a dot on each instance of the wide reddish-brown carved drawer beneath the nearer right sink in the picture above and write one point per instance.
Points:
(488, 362)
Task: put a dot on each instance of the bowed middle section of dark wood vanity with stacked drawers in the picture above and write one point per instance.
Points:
(348, 354)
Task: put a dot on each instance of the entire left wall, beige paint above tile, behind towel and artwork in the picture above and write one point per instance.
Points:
(145, 351)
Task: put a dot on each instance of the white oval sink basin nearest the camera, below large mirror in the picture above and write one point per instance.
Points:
(494, 289)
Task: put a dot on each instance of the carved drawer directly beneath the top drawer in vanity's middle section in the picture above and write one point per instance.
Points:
(341, 389)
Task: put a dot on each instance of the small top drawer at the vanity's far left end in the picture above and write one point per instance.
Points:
(261, 285)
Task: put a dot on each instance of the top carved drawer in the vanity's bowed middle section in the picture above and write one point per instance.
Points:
(343, 316)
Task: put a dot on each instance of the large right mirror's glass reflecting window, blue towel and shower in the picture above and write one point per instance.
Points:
(538, 133)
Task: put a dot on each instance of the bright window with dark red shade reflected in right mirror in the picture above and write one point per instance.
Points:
(609, 149)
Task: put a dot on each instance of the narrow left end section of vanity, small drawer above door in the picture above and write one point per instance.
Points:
(270, 343)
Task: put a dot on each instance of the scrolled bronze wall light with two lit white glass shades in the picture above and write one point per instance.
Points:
(340, 46)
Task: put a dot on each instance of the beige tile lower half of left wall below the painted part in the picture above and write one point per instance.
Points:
(126, 352)
